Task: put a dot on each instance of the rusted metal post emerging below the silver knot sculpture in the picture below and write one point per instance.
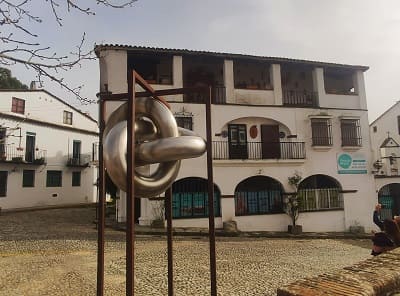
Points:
(168, 212)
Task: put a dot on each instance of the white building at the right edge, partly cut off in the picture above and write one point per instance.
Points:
(385, 140)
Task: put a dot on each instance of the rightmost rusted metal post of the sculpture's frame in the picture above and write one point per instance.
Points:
(211, 214)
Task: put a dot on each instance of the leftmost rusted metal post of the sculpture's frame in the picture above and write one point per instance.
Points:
(101, 207)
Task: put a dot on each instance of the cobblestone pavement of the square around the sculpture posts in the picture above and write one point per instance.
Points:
(54, 252)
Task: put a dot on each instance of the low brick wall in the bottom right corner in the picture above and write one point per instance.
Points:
(377, 276)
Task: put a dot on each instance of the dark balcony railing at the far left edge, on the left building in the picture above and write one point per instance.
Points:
(15, 154)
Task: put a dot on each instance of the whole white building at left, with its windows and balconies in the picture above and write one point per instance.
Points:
(46, 151)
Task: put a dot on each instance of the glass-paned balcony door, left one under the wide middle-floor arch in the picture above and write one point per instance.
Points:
(237, 141)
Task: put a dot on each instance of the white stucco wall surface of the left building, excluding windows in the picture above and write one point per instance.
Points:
(42, 118)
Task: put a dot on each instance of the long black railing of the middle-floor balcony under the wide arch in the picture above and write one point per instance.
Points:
(259, 150)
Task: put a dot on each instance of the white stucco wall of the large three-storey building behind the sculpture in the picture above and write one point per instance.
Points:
(359, 196)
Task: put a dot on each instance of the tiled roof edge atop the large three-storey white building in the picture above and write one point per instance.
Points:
(144, 49)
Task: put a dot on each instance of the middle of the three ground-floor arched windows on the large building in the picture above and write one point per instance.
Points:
(258, 195)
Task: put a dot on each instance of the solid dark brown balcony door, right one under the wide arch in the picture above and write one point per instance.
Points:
(270, 141)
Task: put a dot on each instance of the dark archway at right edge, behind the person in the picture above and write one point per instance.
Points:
(389, 197)
